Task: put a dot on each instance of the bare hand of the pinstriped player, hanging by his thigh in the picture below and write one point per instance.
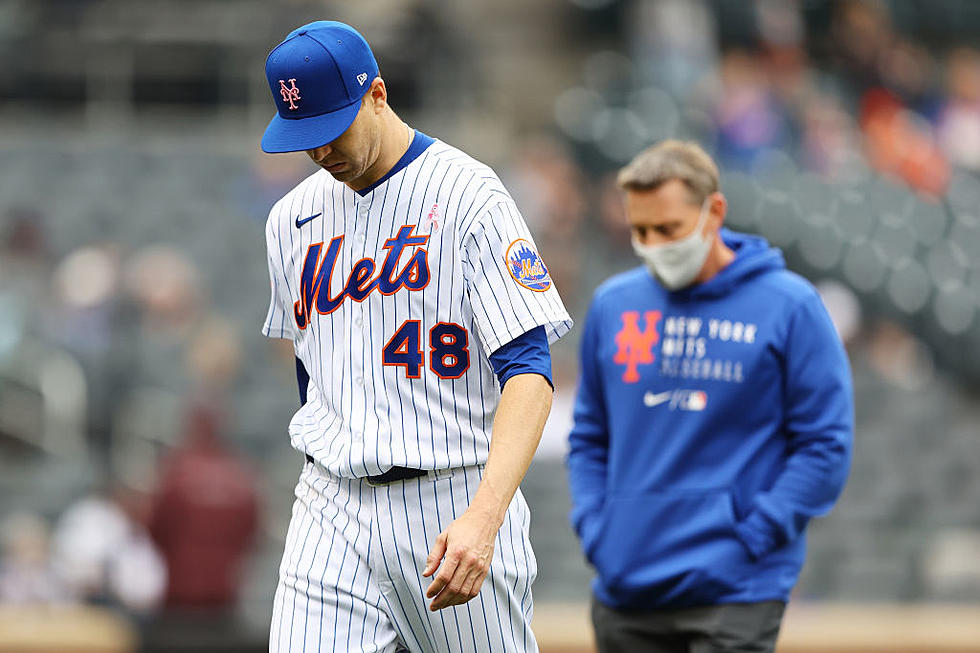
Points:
(462, 555)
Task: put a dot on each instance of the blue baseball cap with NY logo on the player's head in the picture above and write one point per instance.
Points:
(317, 76)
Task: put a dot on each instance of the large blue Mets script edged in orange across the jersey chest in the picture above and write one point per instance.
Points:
(314, 286)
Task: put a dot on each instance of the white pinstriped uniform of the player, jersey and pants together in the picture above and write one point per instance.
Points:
(350, 576)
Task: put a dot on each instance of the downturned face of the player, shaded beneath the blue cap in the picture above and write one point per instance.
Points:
(350, 157)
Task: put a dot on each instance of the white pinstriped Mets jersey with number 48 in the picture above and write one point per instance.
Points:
(394, 301)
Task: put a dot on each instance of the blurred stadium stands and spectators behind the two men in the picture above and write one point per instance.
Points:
(133, 280)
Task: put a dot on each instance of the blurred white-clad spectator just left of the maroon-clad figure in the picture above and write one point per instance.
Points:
(105, 555)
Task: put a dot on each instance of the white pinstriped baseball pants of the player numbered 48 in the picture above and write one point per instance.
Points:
(351, 574)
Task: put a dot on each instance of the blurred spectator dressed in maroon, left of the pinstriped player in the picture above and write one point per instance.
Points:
(204, 517)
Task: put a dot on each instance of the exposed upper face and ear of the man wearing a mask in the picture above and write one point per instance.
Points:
(669, 213)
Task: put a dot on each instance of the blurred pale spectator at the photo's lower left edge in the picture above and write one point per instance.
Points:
(26, 575)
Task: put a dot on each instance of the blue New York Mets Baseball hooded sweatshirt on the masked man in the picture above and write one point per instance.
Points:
(711, 424)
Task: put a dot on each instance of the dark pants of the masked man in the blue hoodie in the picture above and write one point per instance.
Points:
(726, 628)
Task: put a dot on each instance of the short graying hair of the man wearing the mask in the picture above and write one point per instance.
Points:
(671, 159)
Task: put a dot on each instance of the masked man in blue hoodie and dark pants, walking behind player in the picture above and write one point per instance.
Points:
(714, 418)
